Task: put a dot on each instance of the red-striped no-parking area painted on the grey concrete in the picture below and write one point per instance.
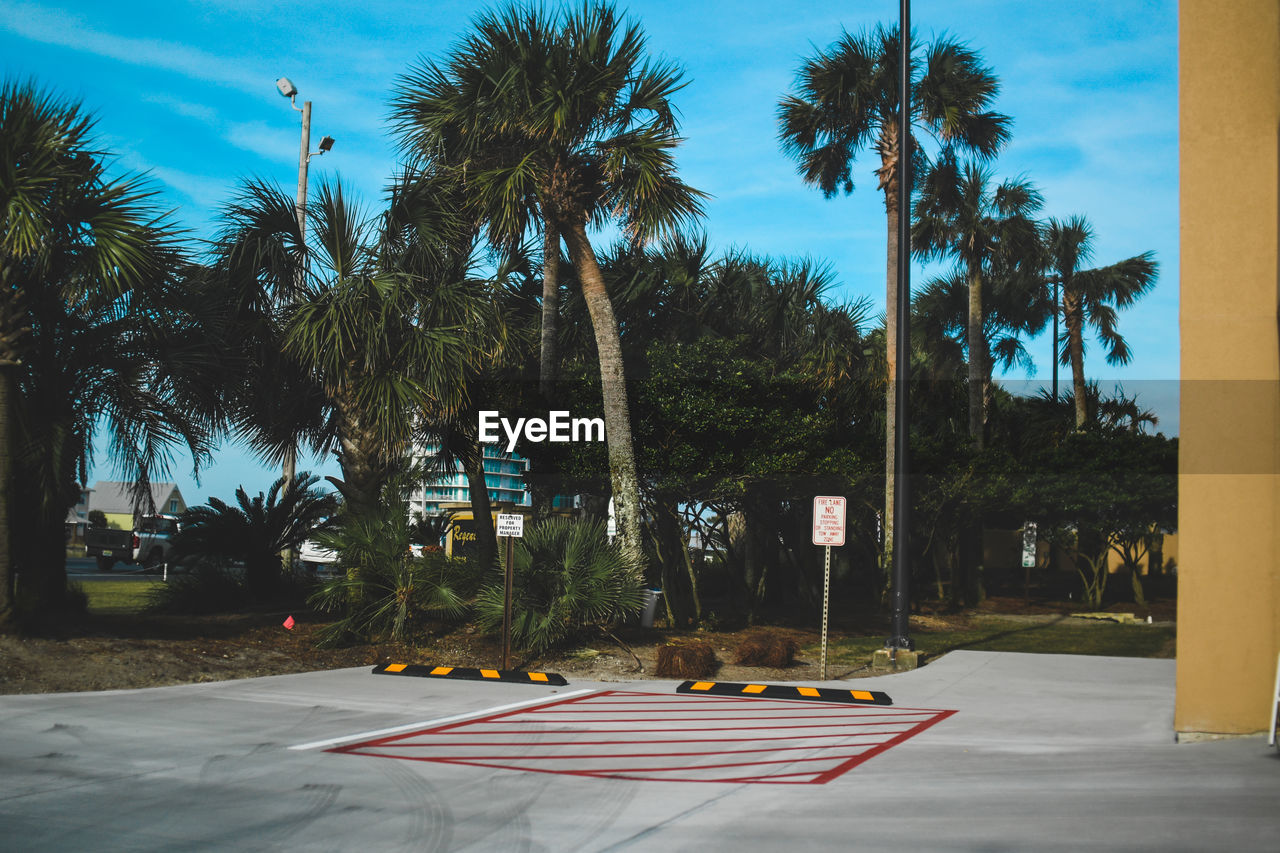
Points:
(671, 738)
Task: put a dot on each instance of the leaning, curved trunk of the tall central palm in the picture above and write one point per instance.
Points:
(614, 387)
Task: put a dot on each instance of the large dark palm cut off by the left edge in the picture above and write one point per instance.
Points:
(94, 329)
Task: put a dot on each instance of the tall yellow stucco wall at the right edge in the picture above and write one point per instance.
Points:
(1229, 513)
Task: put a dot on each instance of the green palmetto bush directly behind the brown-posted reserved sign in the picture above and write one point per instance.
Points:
(569, 580)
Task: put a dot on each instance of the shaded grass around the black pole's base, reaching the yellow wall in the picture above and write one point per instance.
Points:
(995, 635)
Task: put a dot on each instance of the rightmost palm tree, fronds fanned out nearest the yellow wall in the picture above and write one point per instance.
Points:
(1091, 297)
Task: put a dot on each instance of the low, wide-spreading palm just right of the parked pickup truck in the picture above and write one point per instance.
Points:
(257, 530)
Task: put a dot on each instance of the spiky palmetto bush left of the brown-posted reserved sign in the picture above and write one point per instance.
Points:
(383, 590)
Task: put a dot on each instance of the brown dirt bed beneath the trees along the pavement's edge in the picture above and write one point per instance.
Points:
(107, 653)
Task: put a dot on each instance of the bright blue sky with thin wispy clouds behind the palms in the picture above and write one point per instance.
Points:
(186, 94)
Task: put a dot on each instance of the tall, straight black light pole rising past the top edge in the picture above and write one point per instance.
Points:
(902, 594)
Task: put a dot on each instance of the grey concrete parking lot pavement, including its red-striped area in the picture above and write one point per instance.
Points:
(1043, 752)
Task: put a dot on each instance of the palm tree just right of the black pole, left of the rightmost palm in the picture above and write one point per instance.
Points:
(991, 234)
